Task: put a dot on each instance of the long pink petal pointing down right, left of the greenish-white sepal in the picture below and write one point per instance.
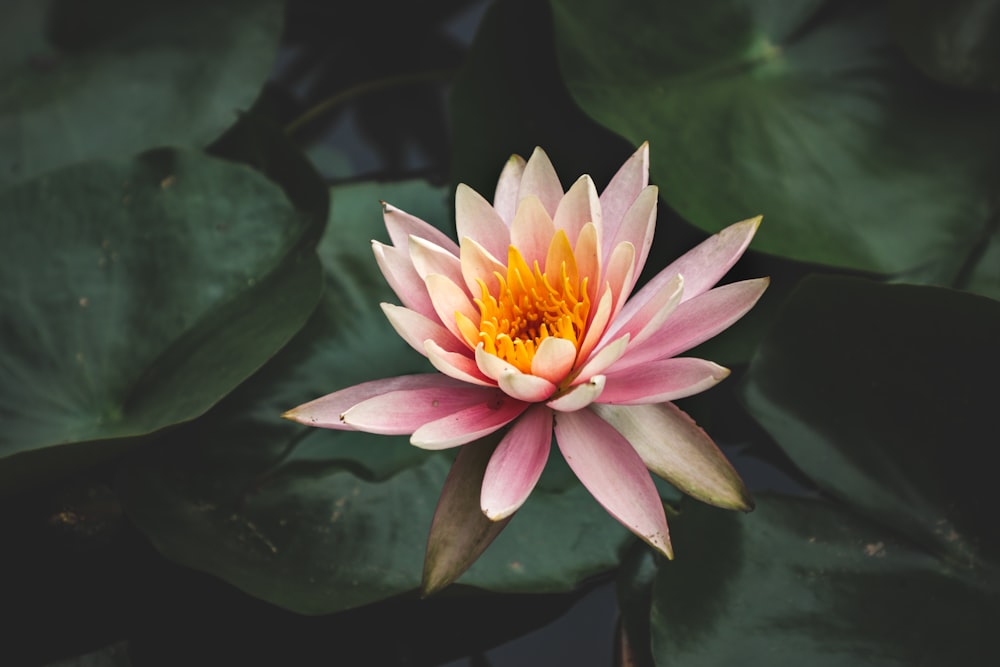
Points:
(614, 474)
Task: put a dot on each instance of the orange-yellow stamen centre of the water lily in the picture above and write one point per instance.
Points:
(531, 305)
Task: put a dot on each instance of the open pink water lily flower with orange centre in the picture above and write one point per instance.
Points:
(529, 321)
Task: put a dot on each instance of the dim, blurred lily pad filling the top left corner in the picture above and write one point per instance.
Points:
(114, 77)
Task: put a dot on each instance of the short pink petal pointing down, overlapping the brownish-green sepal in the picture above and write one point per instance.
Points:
(517, 464)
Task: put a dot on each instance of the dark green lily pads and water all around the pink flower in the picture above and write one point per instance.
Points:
(187, 195)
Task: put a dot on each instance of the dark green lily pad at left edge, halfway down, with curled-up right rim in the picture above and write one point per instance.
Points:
(134, 295)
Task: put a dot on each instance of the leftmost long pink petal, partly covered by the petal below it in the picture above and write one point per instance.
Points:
(326, 411)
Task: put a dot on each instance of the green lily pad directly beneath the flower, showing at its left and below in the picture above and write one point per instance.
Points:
(319, 521)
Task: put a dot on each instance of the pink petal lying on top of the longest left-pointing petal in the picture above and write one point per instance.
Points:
(404, 412)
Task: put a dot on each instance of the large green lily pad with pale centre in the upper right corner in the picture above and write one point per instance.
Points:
(802, 113)
